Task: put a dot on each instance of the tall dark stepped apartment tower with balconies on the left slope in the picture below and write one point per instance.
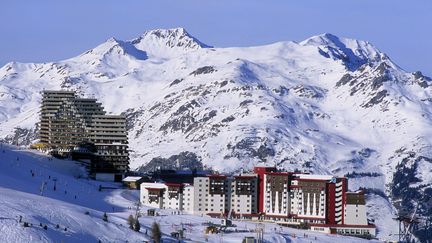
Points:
(66, 121)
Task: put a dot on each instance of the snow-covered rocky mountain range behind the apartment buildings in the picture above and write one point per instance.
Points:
(328, 105)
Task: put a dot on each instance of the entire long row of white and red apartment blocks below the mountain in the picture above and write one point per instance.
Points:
(319, 202)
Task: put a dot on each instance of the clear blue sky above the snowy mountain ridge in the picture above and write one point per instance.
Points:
(50, 30)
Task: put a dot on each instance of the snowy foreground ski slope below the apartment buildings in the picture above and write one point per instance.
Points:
(78, 206)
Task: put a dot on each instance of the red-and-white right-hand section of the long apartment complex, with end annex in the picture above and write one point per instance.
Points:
(322, 202)
